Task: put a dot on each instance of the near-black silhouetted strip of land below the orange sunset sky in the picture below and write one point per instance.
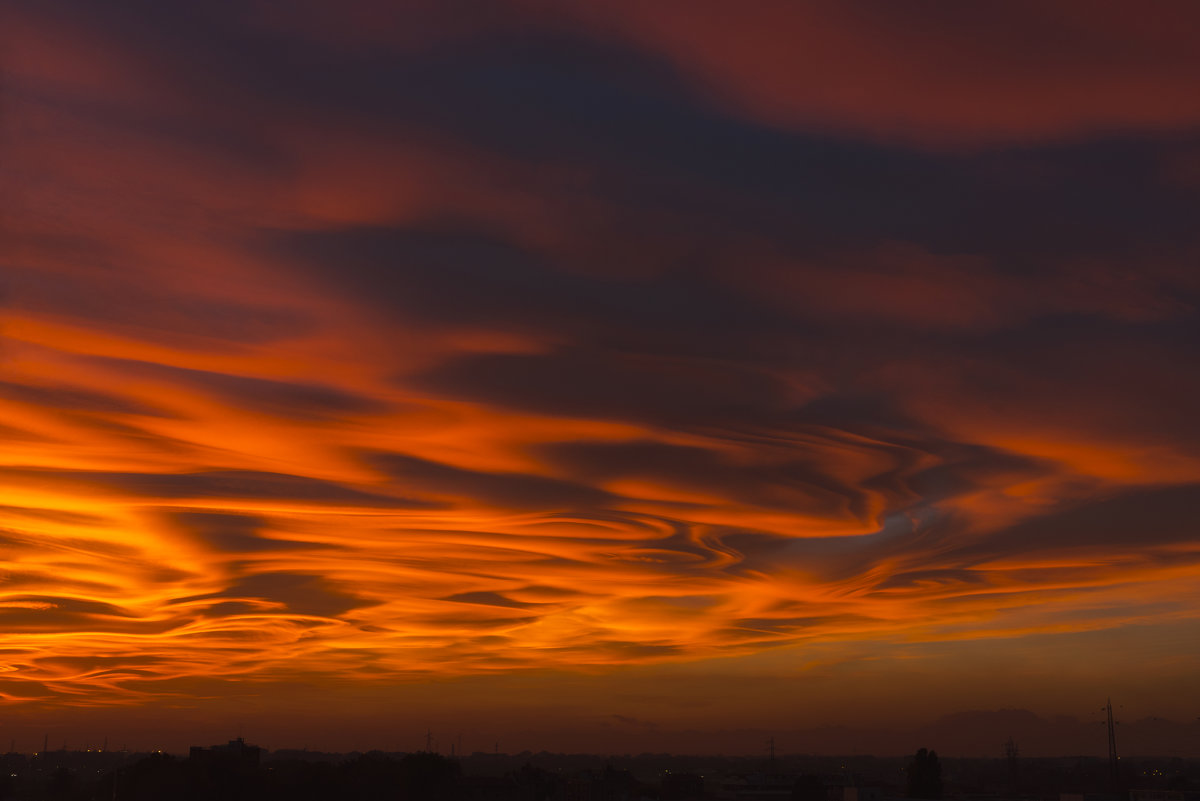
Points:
(239, 772)
